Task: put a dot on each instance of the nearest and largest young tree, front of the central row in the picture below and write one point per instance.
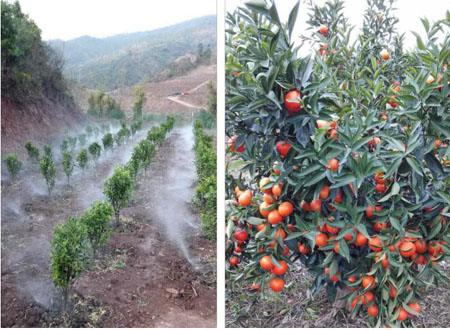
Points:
(68, 253)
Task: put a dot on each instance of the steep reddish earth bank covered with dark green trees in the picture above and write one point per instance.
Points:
(36, 102)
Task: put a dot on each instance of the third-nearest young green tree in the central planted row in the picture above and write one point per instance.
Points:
(117, 190)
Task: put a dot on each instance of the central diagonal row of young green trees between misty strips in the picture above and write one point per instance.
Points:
(75, 238)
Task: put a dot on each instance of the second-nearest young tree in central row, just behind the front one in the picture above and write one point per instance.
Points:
(96, 220)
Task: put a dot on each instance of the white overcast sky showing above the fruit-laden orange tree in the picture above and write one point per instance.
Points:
(409, 13)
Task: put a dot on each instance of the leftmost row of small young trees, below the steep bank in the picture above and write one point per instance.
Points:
(46, 162)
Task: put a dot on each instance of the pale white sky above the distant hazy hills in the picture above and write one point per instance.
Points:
(68, 19)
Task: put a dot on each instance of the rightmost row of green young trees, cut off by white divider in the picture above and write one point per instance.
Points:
(206, 193)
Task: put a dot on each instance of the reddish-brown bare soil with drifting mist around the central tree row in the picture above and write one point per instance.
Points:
(141, 278)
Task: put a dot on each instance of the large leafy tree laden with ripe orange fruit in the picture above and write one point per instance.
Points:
(342, 156)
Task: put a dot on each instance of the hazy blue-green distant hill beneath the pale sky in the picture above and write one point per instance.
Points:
(126, 59)
